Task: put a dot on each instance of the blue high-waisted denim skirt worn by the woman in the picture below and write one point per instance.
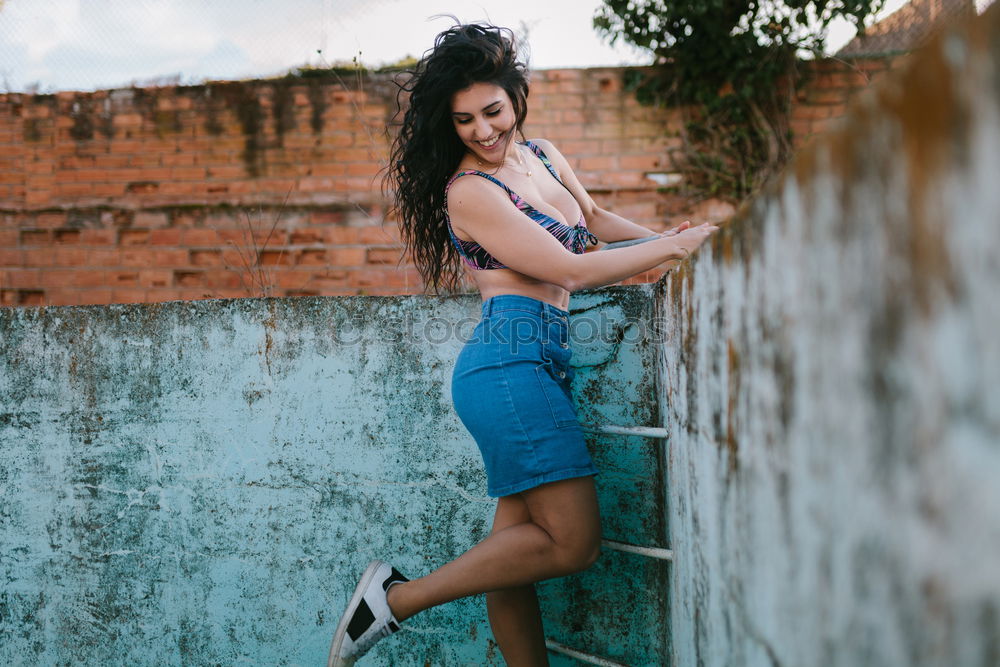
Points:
(511, 389)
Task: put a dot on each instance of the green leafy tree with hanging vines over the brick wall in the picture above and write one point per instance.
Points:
(731, 67)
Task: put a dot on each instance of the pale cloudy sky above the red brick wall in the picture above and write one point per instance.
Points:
(48, 45)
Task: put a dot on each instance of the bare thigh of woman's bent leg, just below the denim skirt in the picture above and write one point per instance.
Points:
(567, 510)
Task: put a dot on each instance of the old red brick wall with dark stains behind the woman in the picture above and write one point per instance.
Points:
(152, 194)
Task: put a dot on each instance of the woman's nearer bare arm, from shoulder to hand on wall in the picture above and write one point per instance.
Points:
(483, 212)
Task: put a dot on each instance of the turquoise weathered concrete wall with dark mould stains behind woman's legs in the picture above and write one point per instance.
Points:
(200, 483)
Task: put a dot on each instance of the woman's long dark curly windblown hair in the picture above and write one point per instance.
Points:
(427, 149)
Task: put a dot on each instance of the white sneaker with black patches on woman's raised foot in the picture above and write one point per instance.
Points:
(367, 618)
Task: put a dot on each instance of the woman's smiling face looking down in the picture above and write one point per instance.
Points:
(484, 120)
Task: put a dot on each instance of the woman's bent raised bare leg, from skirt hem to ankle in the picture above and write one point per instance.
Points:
(561, 536)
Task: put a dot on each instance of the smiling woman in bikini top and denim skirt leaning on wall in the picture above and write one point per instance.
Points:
(520, 220)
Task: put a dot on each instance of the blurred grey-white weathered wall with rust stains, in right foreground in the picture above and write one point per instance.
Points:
(830, 382)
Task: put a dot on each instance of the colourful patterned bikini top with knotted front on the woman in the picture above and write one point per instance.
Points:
(574, 239)
